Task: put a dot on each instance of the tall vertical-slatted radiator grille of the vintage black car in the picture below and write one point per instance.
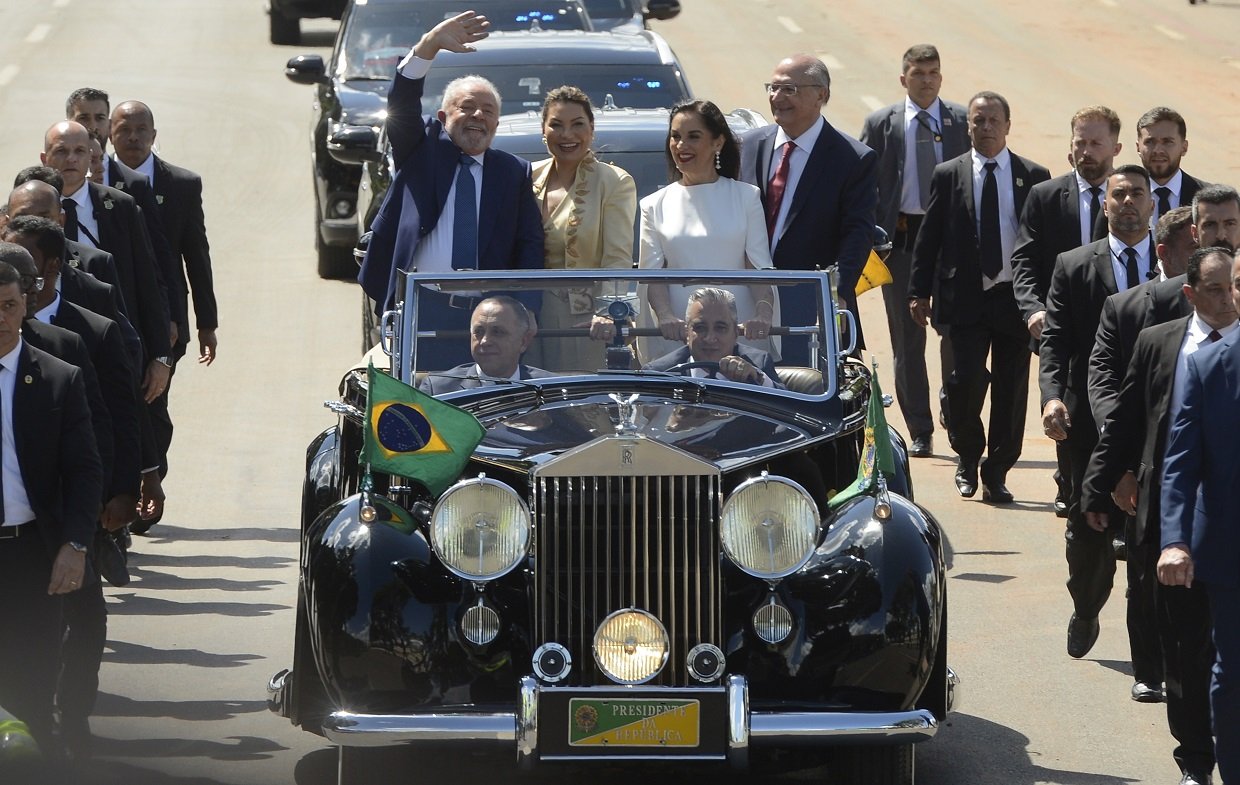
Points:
(604, 544)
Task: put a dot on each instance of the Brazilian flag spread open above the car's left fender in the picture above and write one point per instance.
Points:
(412, 435)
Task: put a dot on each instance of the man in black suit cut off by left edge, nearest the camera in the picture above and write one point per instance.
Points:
(51, 489)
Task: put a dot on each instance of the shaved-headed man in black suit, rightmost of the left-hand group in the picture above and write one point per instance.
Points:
(179, 199)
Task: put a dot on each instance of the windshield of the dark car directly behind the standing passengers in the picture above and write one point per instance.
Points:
(524, 87)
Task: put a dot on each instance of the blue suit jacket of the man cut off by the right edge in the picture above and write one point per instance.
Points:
(1202, 476)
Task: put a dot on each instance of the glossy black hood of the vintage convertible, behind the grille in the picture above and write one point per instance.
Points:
(721, 432)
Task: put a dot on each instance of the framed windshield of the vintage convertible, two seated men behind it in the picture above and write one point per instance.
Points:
(494, 328)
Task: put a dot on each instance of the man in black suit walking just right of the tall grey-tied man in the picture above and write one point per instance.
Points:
(965, 246)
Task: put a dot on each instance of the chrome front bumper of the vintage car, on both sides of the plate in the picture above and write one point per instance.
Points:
(746, 729)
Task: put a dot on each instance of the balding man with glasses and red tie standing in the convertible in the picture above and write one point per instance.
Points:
(819, 189)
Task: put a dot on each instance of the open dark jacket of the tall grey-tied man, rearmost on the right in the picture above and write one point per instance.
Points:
(885, 133)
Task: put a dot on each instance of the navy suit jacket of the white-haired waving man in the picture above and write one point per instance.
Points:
(510, 228)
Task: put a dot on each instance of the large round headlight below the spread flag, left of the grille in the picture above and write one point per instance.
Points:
(480, 529)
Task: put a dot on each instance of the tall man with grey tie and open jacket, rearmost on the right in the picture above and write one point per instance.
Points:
(911, 140)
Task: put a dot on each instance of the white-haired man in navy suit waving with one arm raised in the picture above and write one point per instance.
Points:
(454, 203)
